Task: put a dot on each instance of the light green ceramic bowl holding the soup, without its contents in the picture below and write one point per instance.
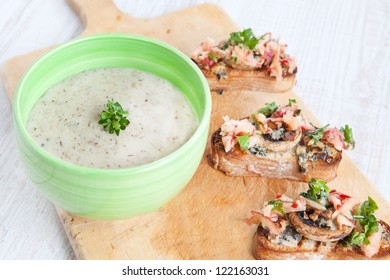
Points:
(112, 193)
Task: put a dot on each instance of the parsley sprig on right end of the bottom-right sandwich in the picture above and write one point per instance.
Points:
(368, 222)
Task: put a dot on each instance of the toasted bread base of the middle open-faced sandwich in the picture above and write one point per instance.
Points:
(275, 165)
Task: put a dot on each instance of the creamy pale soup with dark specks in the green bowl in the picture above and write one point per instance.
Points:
(65, 119)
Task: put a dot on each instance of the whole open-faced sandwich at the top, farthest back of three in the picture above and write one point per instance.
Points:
(246, 62)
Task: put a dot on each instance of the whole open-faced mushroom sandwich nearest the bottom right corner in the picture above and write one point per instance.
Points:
(319, 224)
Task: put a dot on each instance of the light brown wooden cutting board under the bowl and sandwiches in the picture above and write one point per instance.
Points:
(204, 221)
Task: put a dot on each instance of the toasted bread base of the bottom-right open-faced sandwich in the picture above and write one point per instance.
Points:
(296, 247)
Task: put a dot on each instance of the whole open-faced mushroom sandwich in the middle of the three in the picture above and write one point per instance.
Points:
(279, 142)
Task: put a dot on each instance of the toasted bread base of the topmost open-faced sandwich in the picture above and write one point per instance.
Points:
(251, 80)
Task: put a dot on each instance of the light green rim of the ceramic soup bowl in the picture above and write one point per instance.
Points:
(203, 121)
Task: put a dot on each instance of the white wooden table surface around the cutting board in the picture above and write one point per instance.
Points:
(343, 51)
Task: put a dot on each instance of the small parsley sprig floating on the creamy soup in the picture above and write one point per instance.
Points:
(114, 118)
